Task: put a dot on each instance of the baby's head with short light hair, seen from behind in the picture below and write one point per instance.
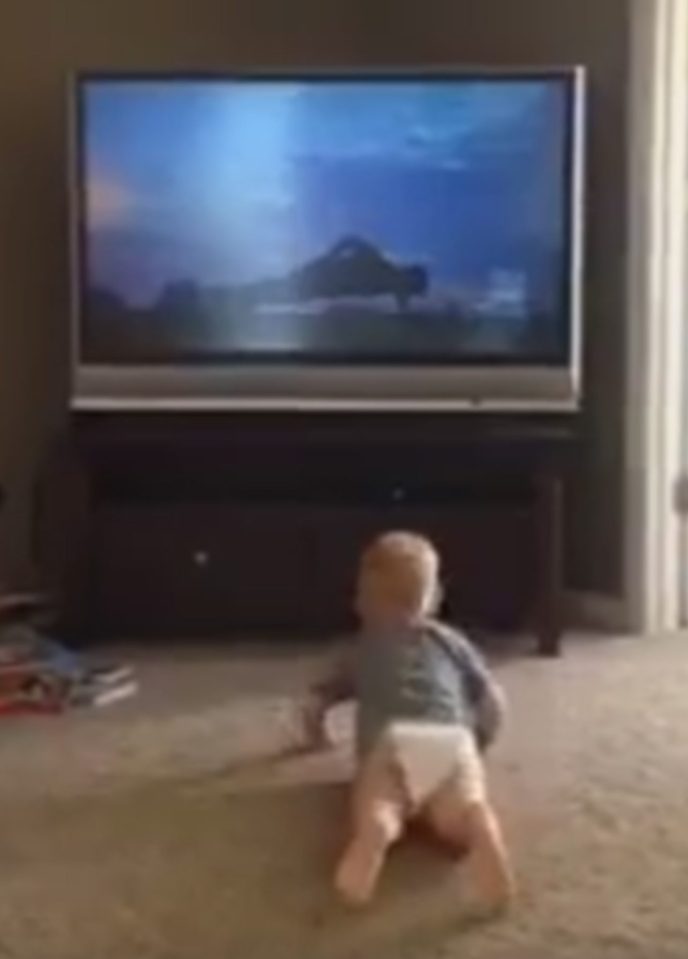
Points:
(398, 579)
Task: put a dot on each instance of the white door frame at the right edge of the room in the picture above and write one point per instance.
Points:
(656, 303)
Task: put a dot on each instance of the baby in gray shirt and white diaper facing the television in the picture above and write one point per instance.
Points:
(427, 706)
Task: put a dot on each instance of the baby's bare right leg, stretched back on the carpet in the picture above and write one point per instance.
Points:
(473, 825)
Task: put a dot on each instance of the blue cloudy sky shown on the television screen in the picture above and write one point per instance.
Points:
(226, 182)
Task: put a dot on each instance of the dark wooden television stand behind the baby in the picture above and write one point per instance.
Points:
(203, 524)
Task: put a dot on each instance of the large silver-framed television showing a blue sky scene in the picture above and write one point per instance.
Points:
(361, 240)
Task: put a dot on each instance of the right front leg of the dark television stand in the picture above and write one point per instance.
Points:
(549, 624)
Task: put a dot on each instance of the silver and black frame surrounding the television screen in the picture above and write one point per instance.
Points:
(305, 387)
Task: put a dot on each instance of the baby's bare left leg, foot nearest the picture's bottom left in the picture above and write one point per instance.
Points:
(378, 821)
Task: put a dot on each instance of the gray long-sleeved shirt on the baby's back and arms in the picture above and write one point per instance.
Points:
(427, 672)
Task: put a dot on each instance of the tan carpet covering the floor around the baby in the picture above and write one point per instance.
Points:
(124, 834)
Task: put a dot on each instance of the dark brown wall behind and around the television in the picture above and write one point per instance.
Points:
(42, 40)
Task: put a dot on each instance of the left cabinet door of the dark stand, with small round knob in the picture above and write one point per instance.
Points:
(197, 568)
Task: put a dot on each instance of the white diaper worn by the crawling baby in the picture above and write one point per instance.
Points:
(430, 754)
